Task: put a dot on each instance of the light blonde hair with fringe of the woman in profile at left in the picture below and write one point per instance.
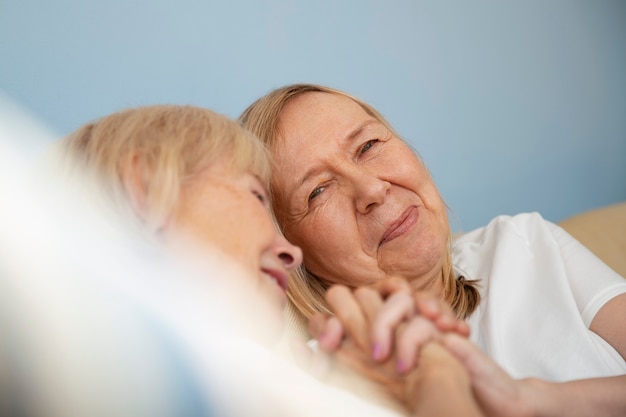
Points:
(167, 144)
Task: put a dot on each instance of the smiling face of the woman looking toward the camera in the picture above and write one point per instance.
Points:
(354, 197)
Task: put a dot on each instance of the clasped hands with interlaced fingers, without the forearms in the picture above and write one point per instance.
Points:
(381, 330)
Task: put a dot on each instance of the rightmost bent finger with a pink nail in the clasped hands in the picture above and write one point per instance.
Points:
(410, 340)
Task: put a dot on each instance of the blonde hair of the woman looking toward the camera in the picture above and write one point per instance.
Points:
(306, 290)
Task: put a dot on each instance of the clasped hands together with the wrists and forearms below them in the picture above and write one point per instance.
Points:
(386, 330)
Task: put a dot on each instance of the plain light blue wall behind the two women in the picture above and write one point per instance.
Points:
(514, 105)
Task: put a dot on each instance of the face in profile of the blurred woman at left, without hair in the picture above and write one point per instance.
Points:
(229, 210)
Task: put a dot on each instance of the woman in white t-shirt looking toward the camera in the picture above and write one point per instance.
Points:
(362, 206)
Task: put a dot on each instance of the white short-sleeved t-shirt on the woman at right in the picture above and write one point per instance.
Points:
(540, 291)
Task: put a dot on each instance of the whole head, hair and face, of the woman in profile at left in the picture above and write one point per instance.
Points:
(183, 170)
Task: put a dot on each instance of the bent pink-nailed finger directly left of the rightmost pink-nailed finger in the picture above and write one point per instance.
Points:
(395, 310)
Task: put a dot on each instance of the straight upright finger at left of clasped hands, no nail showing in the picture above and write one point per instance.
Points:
(349, 313)
